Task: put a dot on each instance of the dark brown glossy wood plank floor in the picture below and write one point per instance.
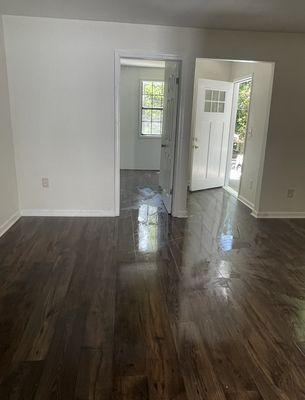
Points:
(146, 306)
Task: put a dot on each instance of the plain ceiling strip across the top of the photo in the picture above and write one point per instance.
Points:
(258, 15)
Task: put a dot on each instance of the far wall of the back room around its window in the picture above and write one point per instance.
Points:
(136, 152)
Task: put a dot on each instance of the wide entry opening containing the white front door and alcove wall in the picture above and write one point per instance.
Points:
(230, 118)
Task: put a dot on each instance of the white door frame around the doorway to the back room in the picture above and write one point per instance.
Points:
(178, 140)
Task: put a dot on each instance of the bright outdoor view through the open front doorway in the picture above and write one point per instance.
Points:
(240, 107)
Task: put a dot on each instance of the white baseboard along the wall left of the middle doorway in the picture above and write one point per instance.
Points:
(67, 213)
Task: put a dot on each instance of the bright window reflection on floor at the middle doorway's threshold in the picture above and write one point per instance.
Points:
(148, 228)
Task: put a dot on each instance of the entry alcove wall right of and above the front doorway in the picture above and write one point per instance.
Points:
(258, 118)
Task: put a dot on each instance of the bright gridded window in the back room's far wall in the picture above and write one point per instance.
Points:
(152, 99)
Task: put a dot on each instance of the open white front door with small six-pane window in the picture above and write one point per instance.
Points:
(211, 134)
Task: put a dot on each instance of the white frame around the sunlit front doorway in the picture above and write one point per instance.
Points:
(236, 83)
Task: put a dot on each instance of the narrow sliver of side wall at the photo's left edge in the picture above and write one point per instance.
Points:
(8, 185)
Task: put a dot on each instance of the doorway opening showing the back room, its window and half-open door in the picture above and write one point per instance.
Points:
(147, 107)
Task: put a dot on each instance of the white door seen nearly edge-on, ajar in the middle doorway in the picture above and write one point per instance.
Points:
(171, 85)
